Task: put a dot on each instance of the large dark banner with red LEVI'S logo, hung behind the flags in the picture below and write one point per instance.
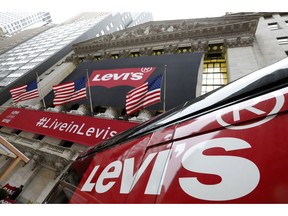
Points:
(110, 80)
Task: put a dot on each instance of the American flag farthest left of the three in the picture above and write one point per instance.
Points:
(25, 92)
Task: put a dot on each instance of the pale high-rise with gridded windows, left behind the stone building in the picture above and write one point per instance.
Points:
(36, 55)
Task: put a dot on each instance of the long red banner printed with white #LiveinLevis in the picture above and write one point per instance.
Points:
(80, 129)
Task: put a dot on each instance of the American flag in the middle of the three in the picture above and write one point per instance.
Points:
(68, 92)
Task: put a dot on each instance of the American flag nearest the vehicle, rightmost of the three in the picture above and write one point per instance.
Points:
(145, 95)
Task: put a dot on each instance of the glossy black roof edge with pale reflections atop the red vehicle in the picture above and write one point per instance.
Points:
(257, 83)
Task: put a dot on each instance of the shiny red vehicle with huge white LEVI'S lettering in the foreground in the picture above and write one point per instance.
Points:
(227, 146)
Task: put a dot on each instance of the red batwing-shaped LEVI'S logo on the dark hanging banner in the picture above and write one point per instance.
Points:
(120, 77)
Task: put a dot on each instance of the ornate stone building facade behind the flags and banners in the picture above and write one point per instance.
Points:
(232, 45)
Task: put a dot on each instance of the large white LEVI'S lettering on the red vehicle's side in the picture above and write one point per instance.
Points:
(233, 184)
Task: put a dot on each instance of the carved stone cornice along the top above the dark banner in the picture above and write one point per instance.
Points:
(197, 33)
